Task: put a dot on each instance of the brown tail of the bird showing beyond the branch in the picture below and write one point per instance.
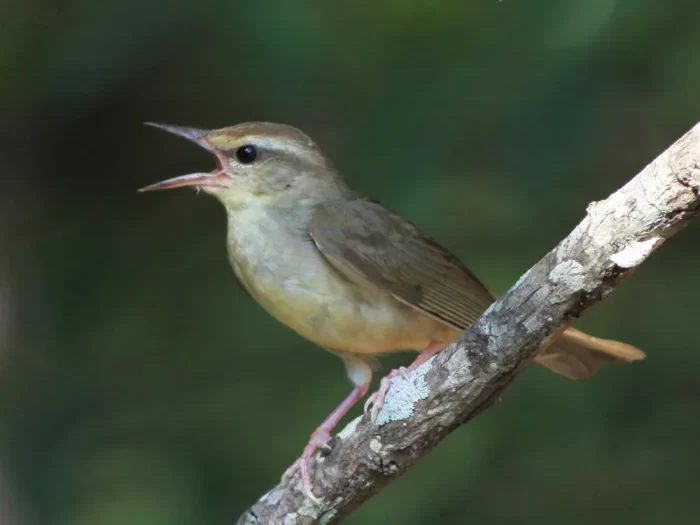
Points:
(577, 355)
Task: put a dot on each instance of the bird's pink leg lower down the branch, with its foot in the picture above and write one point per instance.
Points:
(361, 374)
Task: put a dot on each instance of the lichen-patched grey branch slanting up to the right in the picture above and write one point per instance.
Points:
(616, 236)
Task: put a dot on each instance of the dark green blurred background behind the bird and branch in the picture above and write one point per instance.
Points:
(139, 385)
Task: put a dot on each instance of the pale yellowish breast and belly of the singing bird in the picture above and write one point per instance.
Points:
(283, 270)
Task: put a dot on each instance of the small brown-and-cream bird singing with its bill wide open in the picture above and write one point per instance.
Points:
(344, 271)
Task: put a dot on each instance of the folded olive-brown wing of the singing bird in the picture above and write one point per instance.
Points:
(372, 246)
